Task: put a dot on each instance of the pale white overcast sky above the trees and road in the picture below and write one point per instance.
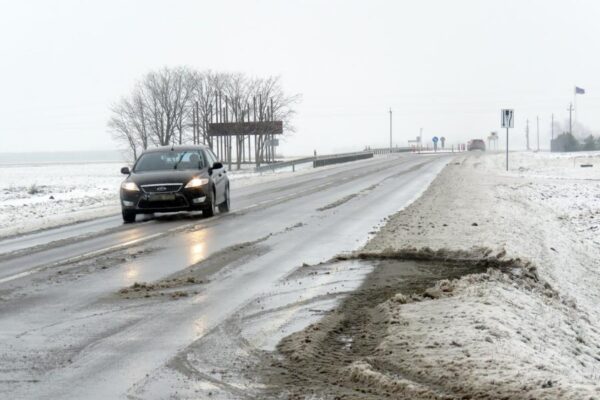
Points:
(446, 66)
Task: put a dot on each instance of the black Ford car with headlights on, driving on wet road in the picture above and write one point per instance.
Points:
(169, 179)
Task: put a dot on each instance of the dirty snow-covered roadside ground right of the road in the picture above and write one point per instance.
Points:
(499, 335)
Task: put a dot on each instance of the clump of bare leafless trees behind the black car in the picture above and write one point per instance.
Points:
(175, 105)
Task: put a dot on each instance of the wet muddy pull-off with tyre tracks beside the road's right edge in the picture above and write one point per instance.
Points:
(293, 339)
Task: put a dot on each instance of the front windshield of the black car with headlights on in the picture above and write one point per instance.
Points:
(170, 160)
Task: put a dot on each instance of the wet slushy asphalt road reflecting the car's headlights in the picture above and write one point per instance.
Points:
(66, 330)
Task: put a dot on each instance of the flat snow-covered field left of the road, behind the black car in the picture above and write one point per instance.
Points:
(41, 196)
